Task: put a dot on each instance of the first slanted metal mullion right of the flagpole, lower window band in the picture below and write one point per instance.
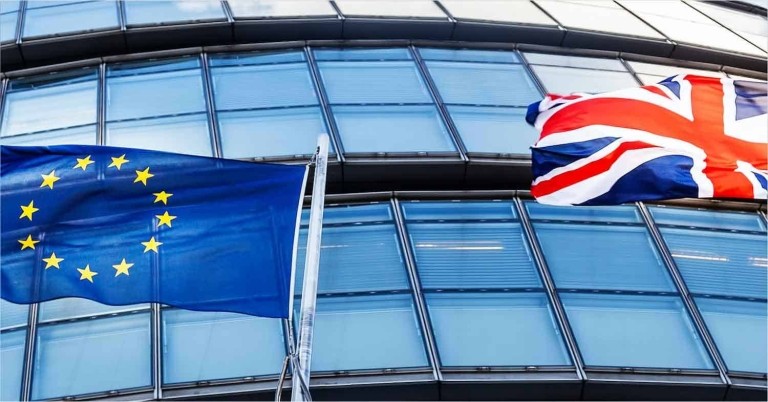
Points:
(415, 283)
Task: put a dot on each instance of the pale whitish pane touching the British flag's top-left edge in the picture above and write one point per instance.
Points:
(564, 80)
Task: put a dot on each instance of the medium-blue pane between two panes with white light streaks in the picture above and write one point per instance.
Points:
(602, 257)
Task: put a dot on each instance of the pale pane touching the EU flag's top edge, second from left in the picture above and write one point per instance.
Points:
(184, 134)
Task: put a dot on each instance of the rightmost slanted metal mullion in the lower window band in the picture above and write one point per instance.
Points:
(685, 294)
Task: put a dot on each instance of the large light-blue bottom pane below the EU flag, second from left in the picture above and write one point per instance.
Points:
(92, 356)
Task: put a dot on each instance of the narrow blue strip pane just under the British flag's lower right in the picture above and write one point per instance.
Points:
(707, 219)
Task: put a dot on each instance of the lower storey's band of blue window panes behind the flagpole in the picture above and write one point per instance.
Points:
(477, 277)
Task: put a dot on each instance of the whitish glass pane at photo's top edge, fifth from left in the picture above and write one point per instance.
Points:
(390, 8)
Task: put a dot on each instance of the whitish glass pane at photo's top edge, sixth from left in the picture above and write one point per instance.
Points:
(497, 10)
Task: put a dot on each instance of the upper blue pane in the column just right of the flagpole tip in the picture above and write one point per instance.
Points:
(373, 82)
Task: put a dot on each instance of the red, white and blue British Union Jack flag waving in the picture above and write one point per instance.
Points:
(687, 136)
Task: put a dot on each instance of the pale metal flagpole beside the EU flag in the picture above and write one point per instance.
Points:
(311, 269)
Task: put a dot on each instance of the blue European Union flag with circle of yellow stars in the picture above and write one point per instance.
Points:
(124, 226)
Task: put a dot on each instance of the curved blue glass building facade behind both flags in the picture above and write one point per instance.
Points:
(440, 277)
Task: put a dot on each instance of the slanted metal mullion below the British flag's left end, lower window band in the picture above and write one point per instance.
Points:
(549, 285)
